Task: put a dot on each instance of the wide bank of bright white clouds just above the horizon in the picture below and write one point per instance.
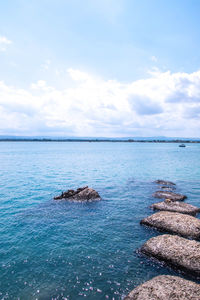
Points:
(164, 104)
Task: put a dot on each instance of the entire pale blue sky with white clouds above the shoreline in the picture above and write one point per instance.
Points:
(100, 68)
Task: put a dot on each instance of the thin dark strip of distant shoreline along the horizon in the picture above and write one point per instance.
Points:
(100, 140)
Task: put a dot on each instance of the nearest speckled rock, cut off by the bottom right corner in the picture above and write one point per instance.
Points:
(166, 287)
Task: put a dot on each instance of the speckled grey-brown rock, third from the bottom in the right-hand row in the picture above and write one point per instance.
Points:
(173, 222)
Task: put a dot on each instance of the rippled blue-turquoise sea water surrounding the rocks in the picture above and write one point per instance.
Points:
(59, 250)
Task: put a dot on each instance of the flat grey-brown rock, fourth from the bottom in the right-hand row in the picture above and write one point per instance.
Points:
(176, 206)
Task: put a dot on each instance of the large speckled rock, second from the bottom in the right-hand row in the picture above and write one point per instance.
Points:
(179, 252)
